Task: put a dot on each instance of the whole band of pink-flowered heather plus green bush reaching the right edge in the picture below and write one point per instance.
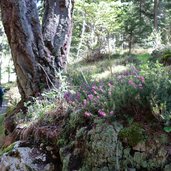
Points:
(137, 92)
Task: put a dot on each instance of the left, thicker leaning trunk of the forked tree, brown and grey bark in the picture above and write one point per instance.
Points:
(22, 27)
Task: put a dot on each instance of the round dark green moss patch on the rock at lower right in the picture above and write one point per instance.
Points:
(132, 135)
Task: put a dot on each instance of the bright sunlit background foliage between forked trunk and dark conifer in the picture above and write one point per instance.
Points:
(96, 24)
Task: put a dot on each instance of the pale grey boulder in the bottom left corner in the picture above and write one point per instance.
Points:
(20, 158)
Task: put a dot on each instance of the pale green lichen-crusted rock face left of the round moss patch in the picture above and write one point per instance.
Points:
(103, 140)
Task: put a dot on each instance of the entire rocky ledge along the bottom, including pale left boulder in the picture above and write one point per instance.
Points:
(97, 144)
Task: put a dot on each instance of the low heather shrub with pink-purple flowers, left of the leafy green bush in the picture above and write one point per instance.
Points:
(108, 97)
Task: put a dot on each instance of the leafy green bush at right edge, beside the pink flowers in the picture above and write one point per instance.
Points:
(157, 90)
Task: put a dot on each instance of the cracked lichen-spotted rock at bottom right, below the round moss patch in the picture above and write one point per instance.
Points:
(144, 160)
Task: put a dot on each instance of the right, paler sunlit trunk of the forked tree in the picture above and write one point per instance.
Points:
(57, 29)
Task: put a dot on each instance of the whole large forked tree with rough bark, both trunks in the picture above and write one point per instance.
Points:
(37, 50)
